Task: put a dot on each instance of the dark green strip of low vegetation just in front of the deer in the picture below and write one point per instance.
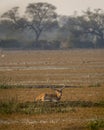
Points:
(13, 106)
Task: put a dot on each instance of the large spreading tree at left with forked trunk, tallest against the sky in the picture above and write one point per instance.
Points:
(38, 17)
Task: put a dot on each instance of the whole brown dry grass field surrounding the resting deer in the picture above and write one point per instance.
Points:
(82, 103)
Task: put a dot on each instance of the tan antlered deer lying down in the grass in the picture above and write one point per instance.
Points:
(51, 97)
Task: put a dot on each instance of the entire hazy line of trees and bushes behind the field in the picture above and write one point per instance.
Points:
(40, 27)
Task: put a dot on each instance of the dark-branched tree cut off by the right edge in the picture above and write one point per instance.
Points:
(94, 25)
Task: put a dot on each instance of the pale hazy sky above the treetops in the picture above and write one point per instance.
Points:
(65, 7)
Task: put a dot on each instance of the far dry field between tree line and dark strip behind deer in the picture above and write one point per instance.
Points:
(73, 67)
